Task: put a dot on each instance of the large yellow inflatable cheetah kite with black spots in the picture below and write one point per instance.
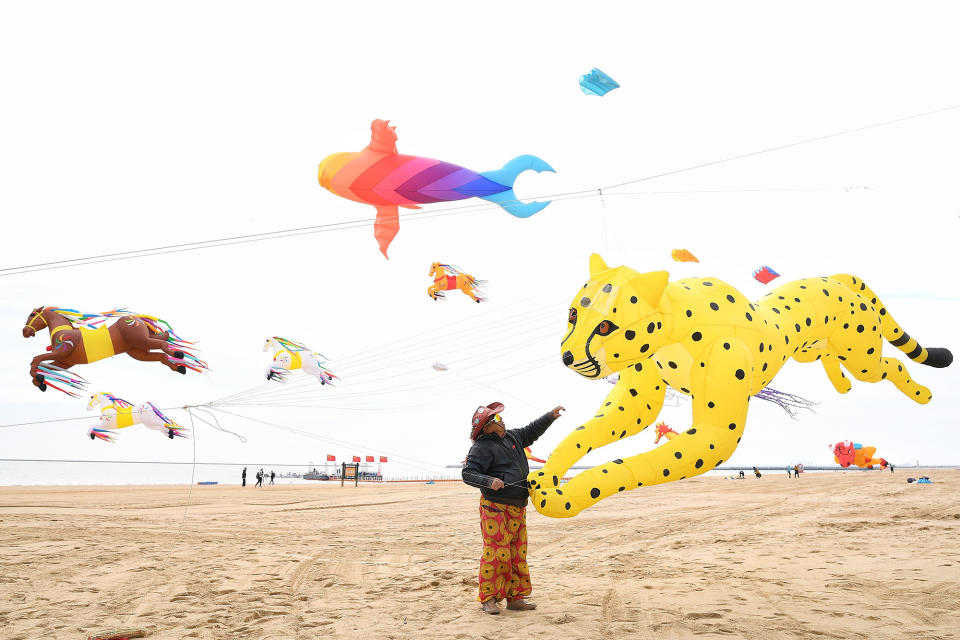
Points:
(705, 339)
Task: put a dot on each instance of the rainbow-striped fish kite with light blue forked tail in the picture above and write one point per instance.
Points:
(381, 177)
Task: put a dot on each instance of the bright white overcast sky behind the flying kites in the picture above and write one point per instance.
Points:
(128, 125)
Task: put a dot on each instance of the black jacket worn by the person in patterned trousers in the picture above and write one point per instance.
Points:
(494, 457)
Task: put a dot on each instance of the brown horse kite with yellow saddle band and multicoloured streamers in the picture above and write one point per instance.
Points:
(81, 338)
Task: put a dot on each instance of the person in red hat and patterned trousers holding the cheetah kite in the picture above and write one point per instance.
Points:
(497, 465)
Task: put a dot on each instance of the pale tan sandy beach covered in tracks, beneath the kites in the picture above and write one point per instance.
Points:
(855, 555)
